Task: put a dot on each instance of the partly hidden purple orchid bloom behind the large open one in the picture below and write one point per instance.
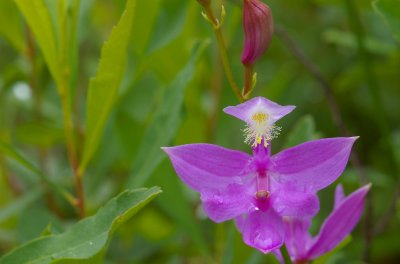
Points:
(347, 211)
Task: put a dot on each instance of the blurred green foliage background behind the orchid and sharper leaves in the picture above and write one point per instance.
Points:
(340, 55)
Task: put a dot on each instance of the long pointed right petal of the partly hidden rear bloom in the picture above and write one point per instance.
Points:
(339, 223)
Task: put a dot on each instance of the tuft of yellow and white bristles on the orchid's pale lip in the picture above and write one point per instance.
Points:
(260, 129)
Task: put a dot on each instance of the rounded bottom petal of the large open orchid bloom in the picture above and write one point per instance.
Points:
(263, 231)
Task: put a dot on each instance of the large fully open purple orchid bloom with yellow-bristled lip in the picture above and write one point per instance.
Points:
(257, 191)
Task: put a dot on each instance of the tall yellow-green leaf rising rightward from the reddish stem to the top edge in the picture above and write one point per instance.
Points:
(103, 89)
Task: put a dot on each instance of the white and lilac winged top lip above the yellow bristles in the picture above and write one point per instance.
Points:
(245, 110)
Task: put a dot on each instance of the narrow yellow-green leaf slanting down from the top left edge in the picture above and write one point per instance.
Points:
(37, 15)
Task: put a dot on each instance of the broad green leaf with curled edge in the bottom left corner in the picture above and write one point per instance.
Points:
(88, 238)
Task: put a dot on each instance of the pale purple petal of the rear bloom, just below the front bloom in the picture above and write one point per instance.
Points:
(297, 238)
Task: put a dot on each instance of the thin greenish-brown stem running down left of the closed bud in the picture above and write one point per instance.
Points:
(209, 14)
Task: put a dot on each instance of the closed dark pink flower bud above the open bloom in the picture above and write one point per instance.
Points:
(258, 28)
